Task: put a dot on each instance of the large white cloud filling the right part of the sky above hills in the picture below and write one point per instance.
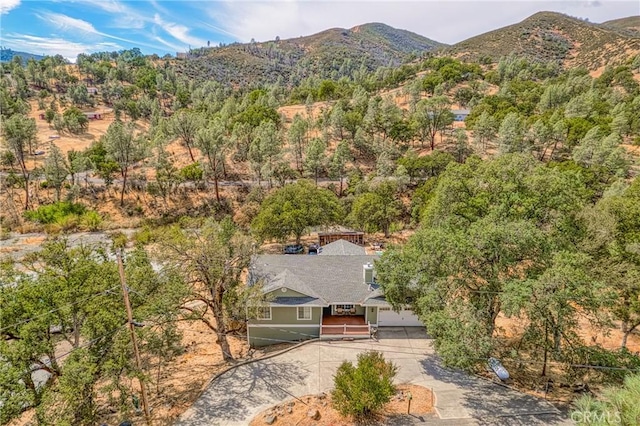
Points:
(445, 21)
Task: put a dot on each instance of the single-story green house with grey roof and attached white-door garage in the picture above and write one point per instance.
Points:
(327, 296)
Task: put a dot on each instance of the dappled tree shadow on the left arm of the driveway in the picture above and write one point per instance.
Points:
(236, 396)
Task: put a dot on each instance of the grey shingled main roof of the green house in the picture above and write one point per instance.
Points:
(330, 279)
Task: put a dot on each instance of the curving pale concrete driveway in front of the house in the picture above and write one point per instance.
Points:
(240, 394)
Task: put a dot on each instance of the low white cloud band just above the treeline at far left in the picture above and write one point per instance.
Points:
(55, 46)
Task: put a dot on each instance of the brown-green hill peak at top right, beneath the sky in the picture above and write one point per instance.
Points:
(550, 36)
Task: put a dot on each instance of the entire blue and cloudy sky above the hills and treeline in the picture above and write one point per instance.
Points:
(70, 27)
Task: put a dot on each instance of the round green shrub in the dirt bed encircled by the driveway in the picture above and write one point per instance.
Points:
(362, 390)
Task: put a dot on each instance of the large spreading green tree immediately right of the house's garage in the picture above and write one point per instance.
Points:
(485, 225)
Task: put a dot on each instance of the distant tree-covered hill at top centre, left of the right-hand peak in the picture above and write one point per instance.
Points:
(333, 53)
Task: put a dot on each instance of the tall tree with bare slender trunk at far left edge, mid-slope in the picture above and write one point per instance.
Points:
(20, 137)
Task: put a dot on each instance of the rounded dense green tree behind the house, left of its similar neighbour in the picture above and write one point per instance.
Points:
(293, 209)
